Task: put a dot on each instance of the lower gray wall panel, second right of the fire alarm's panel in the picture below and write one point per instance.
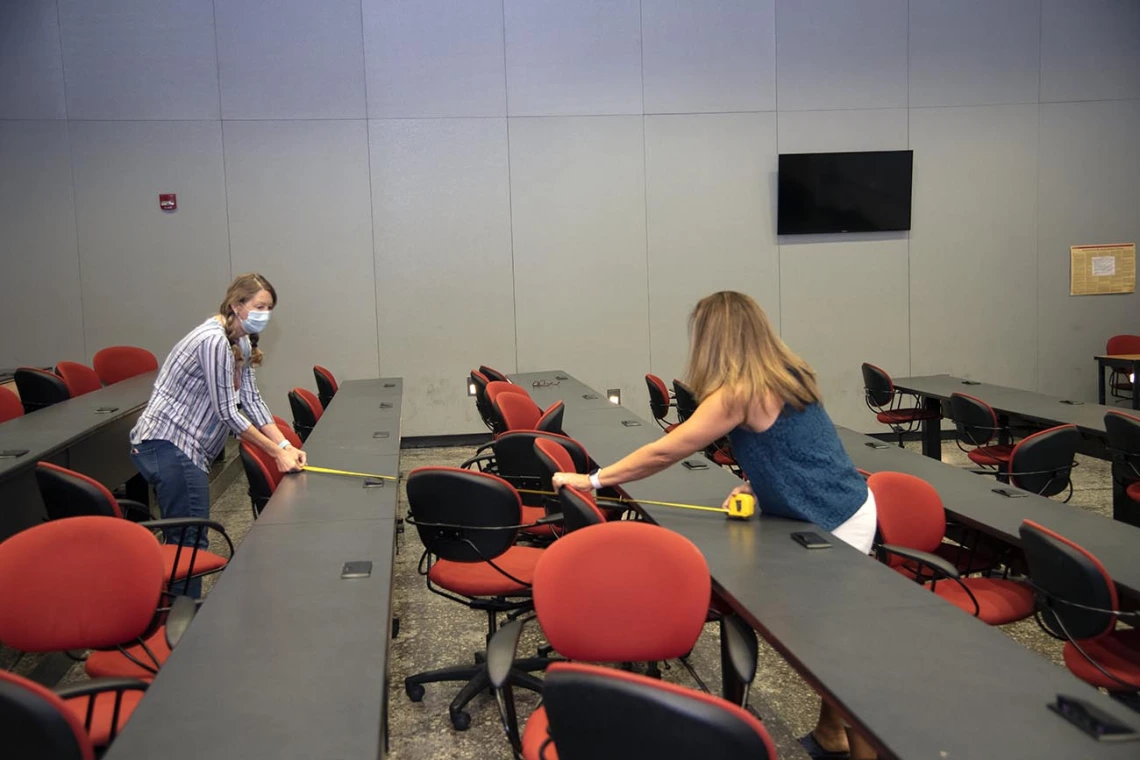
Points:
(445, 295)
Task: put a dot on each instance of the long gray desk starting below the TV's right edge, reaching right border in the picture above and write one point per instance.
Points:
(1038, 410)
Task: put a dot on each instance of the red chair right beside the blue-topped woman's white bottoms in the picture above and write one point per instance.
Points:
(913, 524)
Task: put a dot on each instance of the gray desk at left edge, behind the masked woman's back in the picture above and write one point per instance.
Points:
(75, 435)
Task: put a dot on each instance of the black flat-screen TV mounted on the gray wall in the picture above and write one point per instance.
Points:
(844, 192)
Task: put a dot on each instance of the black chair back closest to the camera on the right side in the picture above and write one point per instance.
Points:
(1063, 571)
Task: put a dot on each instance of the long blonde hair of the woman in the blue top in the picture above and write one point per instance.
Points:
(734, 347)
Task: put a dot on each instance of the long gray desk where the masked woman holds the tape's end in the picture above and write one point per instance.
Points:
(287, 659)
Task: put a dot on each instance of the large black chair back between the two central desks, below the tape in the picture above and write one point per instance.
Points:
(463, 516)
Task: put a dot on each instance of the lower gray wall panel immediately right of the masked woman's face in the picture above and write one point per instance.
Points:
(300, 215)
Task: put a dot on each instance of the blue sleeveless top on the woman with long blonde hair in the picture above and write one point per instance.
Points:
(799, 469)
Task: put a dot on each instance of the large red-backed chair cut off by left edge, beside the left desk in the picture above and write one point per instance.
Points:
(89, 584)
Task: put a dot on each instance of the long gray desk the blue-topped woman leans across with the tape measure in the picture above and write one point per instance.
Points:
(916, 675)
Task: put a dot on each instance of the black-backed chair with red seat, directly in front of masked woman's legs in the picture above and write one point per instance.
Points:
(68, 494)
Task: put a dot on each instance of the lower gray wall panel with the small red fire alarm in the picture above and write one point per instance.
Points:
(149, 276)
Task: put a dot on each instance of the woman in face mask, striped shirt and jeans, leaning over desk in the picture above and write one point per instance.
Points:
(194, 407)
